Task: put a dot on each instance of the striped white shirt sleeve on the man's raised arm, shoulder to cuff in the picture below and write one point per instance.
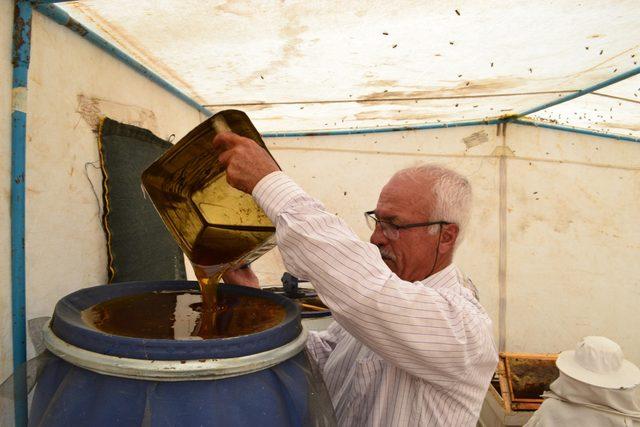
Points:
(433, 335)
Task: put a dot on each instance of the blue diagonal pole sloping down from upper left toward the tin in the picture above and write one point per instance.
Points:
(61, 17)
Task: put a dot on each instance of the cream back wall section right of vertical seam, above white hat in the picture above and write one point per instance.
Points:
(573, 251)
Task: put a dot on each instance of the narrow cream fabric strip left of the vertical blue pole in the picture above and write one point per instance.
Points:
(6, 31)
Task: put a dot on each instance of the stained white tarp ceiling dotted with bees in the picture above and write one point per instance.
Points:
(310, 65)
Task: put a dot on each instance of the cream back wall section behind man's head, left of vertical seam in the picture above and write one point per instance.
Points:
(347, 173)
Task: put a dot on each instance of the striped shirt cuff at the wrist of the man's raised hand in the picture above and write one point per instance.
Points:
(274, 192)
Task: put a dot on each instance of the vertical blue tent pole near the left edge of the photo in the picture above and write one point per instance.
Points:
(20, 58)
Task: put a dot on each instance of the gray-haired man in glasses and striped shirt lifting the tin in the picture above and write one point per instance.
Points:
(410, 344)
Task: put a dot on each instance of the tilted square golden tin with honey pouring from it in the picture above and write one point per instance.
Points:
(216, 226)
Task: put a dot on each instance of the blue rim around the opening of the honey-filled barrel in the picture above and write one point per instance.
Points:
(67, 324)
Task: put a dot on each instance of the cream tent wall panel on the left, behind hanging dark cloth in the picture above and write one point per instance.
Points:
(65, 244)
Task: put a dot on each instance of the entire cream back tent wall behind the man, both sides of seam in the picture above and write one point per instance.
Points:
(553, 236)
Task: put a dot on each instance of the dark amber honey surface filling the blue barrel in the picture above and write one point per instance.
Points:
(180, 315)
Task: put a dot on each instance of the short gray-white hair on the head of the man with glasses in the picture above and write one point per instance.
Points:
(451, 191)
